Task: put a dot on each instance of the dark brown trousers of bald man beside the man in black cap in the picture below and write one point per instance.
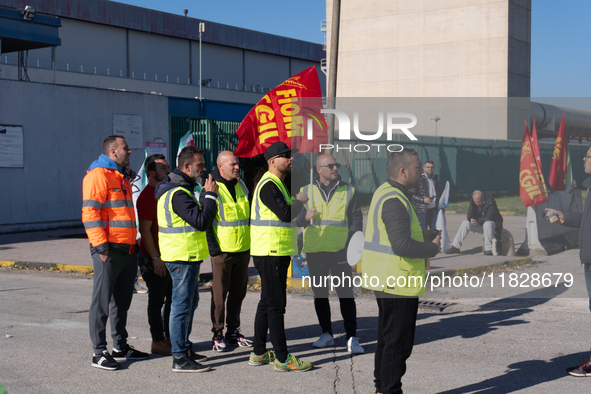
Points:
(230, 278)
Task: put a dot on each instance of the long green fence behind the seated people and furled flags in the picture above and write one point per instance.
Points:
(468, 164)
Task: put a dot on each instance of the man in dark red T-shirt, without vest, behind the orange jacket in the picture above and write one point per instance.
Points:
(153, 269)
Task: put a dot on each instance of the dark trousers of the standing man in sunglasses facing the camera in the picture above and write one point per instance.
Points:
(320, 264)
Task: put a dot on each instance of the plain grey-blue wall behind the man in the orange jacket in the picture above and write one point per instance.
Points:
(63, 132)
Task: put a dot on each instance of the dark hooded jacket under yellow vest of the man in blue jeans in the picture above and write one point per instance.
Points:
(185, 206)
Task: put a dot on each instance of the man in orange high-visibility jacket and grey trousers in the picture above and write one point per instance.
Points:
(109, 220)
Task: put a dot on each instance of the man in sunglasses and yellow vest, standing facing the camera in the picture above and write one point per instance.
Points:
(336, 216)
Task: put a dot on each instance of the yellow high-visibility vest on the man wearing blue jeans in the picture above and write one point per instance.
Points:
(178, 241)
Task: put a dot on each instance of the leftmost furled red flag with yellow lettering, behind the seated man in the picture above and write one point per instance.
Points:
(531, 189)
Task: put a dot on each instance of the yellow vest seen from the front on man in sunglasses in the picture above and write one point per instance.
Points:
(330, 233)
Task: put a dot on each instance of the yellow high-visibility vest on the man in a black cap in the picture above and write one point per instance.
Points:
(268, 234)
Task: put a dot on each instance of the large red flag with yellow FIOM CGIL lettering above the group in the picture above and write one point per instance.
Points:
(283, 115)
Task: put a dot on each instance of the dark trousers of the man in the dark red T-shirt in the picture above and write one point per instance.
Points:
(159, 296)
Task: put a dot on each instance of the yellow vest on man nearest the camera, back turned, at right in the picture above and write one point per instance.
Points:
(396, 274)
